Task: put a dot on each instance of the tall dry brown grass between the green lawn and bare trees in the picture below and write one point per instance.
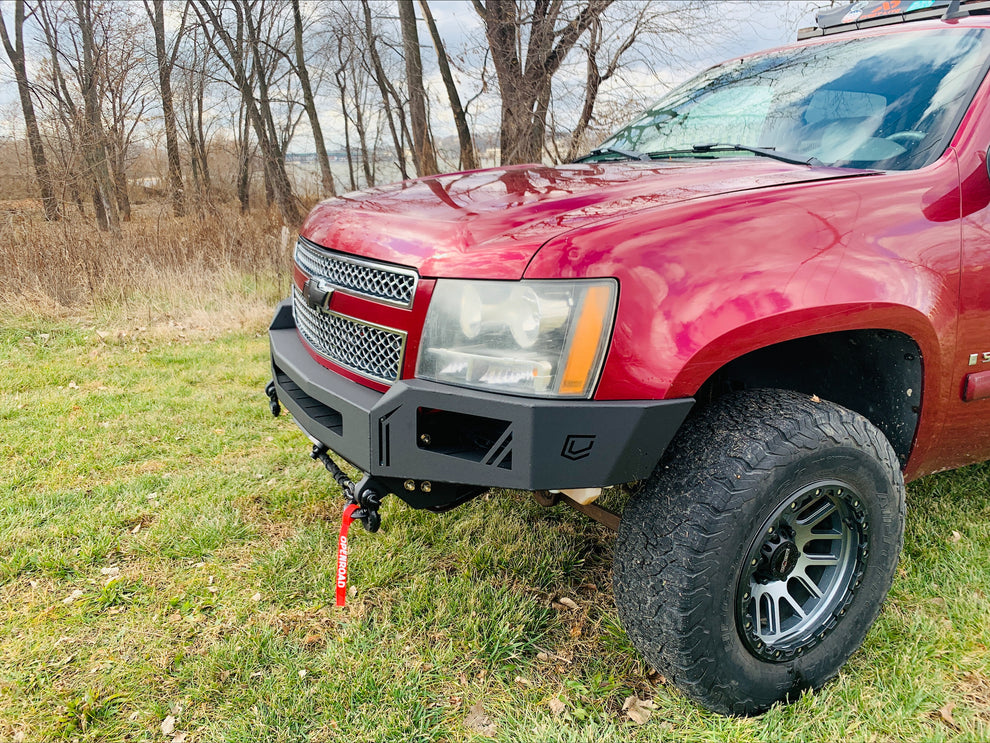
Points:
(161, 277)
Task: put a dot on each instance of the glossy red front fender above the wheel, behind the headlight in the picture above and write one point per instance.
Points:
(705, 281)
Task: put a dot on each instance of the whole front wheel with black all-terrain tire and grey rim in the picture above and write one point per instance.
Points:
(756, 557)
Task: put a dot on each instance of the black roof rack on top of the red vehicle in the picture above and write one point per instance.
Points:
(869, 14)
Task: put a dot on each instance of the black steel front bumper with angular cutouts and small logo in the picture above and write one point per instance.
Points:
(423, 431)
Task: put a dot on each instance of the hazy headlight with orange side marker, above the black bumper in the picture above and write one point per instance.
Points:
(545, 338)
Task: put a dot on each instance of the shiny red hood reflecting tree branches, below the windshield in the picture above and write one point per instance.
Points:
(490, 223)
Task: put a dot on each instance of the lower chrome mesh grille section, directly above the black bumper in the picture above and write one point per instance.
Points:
(367, 349)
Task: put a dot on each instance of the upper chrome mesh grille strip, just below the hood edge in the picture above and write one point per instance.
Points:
(375, 280)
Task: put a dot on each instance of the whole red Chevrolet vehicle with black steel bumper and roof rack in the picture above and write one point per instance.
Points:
(766, 301)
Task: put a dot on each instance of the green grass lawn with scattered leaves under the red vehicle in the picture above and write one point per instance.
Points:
(167, 552)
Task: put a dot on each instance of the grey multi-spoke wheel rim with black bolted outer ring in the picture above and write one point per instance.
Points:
(801, 571)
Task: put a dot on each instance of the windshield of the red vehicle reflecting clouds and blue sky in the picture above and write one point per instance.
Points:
(889, 102)
